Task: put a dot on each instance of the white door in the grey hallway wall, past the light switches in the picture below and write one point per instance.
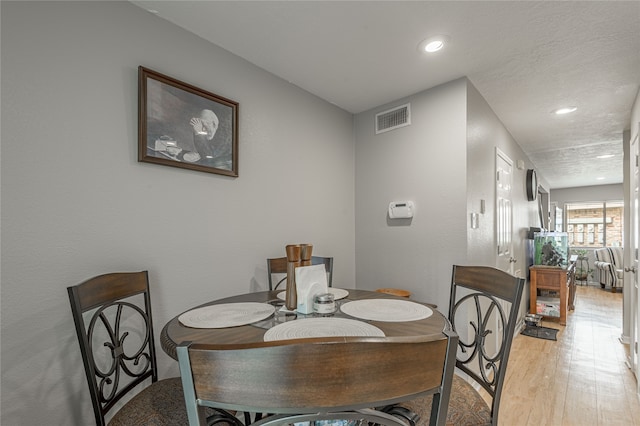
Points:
(504, 213)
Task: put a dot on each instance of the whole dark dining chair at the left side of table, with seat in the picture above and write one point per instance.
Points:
(112, 315)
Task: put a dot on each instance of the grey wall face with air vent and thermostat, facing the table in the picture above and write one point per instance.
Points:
(424, 162)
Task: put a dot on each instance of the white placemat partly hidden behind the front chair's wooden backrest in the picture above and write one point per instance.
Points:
(321, 327)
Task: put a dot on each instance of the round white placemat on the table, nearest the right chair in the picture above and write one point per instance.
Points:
(388, 310)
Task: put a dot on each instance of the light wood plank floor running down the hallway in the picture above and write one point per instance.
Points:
(580, 379)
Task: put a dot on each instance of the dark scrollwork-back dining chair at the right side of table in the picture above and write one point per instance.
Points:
(483, 310)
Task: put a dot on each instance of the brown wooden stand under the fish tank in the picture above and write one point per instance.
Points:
(561, 280)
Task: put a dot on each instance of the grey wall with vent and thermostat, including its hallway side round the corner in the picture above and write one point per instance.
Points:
(444, 162)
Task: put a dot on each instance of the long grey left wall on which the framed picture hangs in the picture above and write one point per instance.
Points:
(76, 203)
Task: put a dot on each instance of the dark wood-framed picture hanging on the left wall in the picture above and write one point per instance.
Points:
(180, 125)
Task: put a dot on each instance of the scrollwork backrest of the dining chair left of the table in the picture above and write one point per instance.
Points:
(112, 316)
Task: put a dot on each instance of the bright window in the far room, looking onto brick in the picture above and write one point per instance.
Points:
(597, 224)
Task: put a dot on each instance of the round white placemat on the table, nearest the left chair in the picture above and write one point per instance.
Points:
(226, 315)
